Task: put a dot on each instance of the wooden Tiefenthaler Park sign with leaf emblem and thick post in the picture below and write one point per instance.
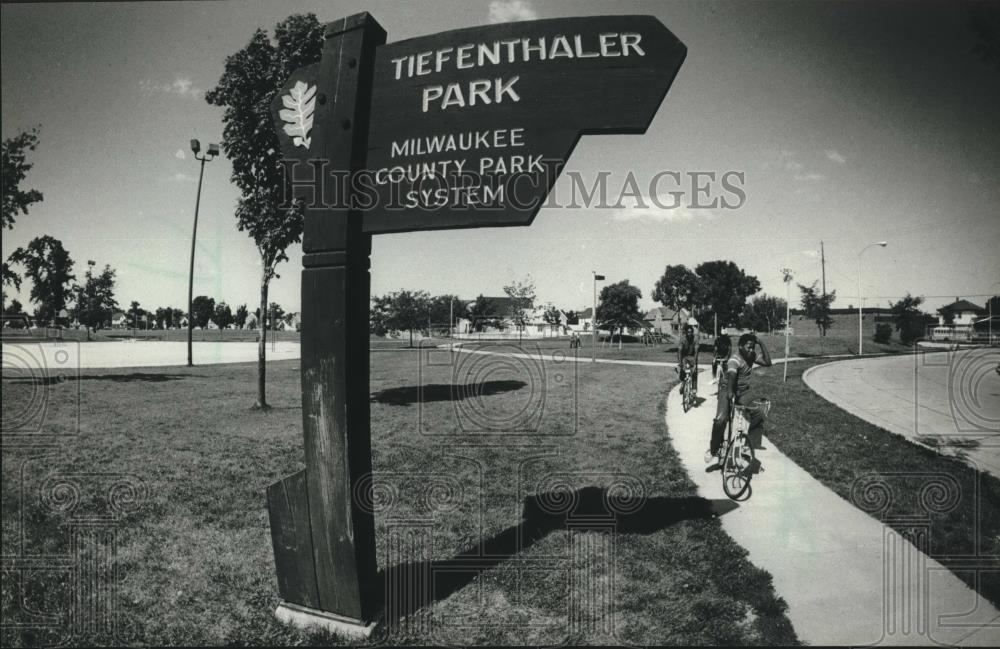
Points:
(467, 128)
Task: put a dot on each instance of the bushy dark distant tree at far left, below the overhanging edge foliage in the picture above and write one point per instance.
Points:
(49, 267)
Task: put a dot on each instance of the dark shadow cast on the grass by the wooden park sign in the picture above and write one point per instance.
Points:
(411, 586)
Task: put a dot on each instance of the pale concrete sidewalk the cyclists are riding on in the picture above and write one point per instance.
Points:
(847, 578)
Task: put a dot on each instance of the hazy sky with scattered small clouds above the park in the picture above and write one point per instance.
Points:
(852, 122)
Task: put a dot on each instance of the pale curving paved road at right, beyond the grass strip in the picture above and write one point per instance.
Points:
(945, 400)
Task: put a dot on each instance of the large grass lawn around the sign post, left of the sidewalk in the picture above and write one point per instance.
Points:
(547, 502)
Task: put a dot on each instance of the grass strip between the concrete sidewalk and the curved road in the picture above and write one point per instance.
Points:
(908, 487)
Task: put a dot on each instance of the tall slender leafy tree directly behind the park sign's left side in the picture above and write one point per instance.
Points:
(252, 78)
